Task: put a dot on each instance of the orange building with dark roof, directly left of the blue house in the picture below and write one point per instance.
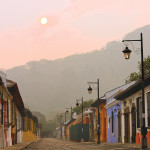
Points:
(103, 123)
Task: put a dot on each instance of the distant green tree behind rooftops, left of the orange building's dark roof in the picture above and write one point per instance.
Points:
(86, 104)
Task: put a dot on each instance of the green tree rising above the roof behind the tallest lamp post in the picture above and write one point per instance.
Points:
(134, 76)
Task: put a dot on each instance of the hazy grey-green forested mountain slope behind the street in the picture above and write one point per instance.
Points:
(49, 86)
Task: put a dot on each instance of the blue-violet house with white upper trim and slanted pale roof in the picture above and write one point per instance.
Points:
(113, 109)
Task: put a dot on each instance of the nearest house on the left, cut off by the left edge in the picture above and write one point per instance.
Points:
(5, 104)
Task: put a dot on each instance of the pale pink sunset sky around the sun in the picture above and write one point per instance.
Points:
(74, 27)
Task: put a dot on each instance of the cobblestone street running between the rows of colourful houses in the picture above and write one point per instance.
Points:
(55, 144)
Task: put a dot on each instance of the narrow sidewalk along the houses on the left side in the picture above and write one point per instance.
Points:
(20, 146)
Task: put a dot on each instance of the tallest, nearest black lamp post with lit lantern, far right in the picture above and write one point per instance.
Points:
(127, 53)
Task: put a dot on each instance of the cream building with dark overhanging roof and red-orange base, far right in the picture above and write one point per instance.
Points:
(131, 111)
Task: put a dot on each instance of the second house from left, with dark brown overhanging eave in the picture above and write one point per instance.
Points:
(17, 112)
